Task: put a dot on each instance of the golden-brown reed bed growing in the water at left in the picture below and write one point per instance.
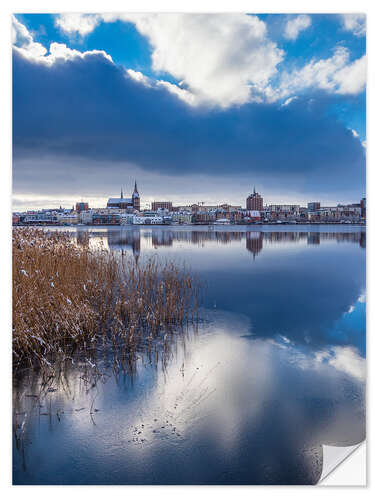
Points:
(71, 300)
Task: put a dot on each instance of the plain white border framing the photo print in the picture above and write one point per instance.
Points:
(264, 6)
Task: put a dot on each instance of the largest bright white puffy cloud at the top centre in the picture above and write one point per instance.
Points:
(222, 59)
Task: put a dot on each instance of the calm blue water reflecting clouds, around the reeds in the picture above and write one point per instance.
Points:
(276, 370)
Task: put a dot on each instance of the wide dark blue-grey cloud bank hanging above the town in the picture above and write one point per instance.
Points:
(88, 113)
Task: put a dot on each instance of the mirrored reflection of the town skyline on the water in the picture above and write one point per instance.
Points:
(254, 240)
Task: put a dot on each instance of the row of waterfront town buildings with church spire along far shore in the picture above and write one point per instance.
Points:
(123, 211)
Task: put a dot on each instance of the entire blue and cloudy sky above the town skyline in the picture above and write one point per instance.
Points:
(195, 107)
